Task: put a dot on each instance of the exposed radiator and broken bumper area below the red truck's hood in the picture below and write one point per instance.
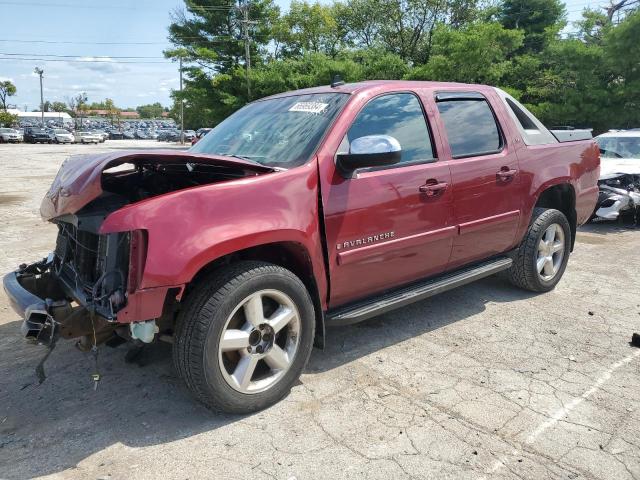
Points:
(79, 289)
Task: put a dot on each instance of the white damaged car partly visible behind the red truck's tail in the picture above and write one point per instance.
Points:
(619, 175)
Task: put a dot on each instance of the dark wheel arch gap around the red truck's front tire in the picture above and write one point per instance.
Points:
(286, 254)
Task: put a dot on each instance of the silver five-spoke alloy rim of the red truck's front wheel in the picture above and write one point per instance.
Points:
(259, 341)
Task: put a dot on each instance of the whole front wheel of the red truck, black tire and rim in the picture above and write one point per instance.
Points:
(244, 336)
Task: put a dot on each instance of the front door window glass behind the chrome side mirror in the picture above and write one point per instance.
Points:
(398, 115)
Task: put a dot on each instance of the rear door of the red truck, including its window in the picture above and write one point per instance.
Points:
(485, 177)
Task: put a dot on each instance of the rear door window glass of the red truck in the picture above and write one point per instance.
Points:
(471, 127)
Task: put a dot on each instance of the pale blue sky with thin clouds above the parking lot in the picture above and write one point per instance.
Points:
(69, 32)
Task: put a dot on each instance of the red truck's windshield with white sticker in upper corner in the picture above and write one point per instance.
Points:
(281, 132)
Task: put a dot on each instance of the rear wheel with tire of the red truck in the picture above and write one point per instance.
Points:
(542, 257)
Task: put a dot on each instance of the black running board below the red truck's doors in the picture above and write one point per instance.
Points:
(407, 295)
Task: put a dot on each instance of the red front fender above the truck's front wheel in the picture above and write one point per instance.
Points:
(190, 228)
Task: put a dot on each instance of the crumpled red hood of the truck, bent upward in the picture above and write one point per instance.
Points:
(78, 181)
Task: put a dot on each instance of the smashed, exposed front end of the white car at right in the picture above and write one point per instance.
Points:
(619, 195)
